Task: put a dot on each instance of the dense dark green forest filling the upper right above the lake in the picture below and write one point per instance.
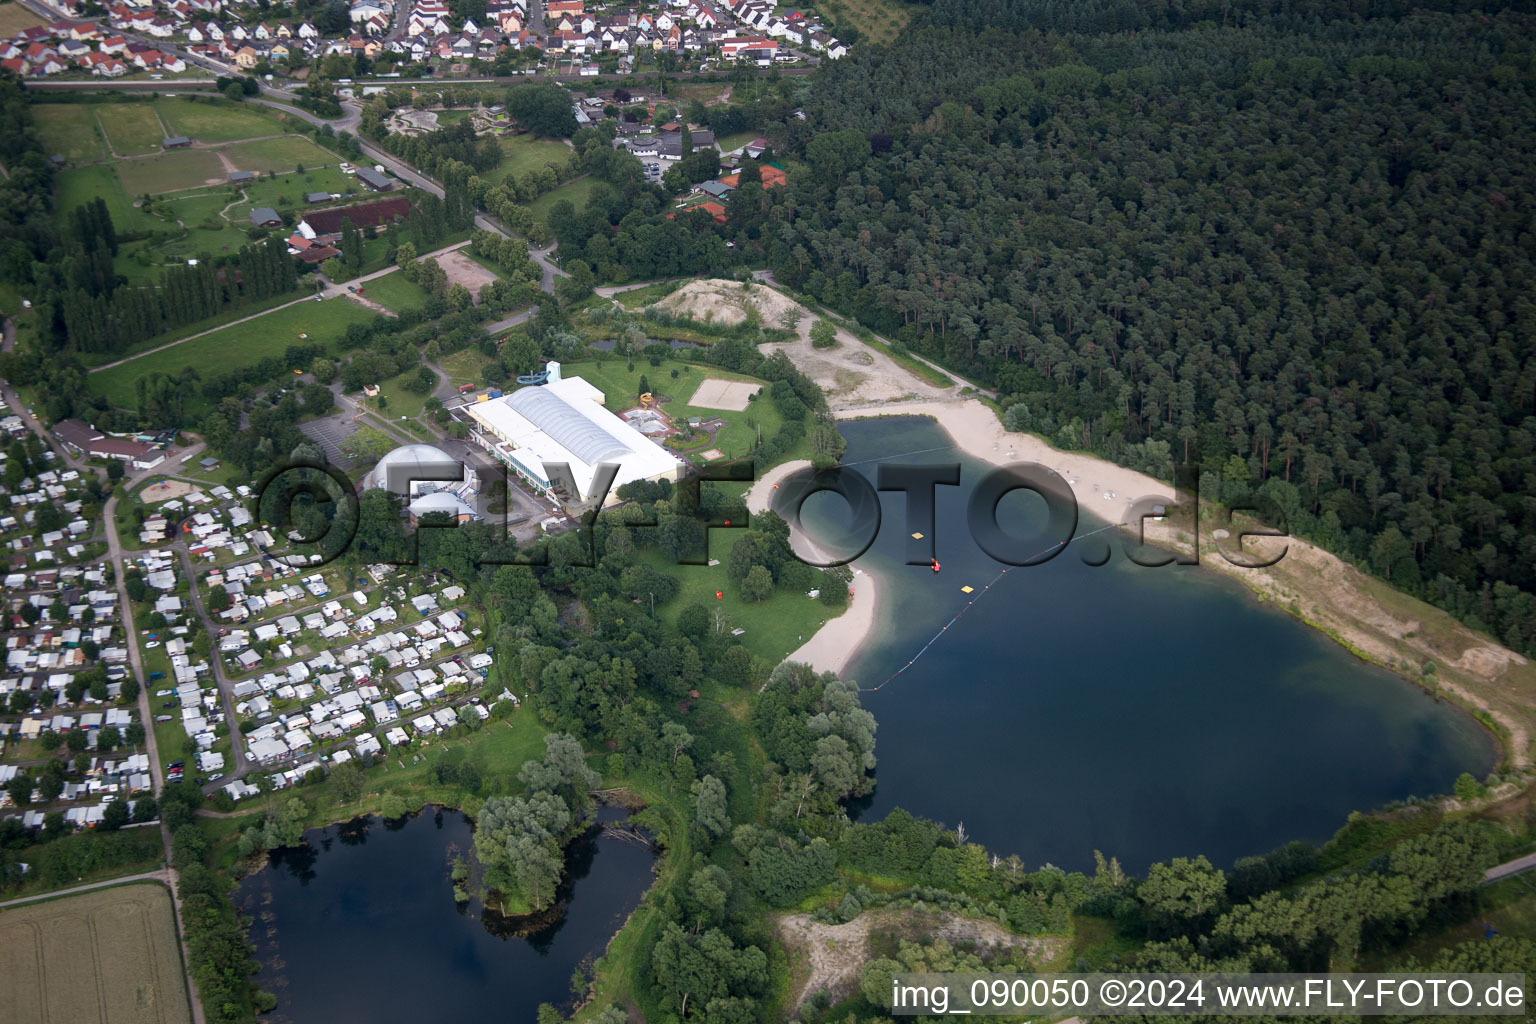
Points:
(1294, 251)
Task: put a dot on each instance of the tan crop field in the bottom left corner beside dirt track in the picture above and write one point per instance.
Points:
(98, 957)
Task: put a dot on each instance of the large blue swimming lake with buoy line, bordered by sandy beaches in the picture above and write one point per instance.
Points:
(1147, 713)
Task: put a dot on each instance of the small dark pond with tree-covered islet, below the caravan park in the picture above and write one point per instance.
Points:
(365, 913)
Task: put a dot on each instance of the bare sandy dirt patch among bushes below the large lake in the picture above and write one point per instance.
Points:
(830, 956)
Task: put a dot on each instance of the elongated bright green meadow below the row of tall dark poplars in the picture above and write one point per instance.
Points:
(236, 346)
